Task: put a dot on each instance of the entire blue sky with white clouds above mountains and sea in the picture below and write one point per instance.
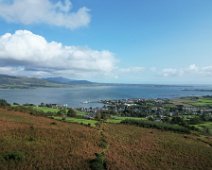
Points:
(140, 41)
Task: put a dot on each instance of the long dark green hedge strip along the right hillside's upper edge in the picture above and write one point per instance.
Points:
(156, 125)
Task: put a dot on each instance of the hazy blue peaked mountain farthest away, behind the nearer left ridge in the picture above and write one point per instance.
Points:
(62, 80)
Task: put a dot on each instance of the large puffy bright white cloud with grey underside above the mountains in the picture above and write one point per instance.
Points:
(34, 53)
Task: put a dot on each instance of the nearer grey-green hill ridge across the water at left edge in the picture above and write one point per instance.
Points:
(7, 81)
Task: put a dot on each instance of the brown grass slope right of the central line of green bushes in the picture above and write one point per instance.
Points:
(134, 148)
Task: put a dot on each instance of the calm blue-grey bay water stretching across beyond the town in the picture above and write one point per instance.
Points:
(76, 95)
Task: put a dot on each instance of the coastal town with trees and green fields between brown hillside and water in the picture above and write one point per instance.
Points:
(193, 113)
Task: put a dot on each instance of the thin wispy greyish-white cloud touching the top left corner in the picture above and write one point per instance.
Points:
(44, 11)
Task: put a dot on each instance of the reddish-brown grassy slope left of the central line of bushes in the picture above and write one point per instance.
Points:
(45, 145)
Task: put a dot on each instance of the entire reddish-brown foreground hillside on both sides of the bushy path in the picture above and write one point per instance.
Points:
(33, 142)
